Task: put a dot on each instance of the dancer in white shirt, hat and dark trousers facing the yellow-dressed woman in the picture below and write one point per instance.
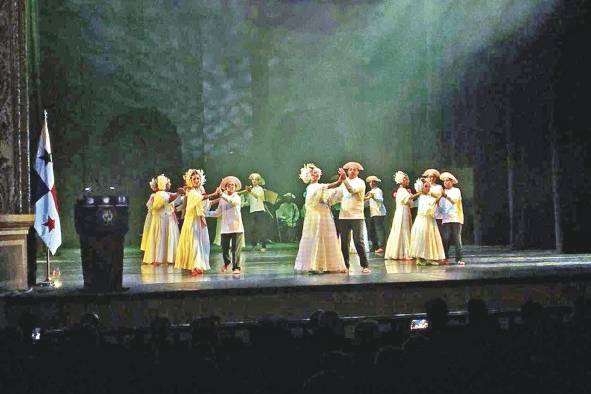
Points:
(231, 227)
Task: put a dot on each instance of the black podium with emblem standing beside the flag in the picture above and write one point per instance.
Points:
(102, 222)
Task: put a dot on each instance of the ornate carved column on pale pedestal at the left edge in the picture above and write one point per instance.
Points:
(15, 191)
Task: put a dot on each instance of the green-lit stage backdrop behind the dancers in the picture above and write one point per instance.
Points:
(139, 88)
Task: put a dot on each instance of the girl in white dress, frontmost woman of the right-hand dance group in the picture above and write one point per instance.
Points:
(425, 240)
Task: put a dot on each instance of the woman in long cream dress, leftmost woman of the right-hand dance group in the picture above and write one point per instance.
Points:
(398, 246)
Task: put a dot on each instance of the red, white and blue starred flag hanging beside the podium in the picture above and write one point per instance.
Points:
(47, 221)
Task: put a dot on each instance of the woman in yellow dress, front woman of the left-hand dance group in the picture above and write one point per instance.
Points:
(193, 248)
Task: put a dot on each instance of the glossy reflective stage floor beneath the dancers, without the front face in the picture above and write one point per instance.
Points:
(274, 268)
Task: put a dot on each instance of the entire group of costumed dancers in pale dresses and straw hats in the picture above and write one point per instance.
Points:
(326, 237)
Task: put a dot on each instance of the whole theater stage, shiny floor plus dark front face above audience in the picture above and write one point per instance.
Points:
(268, 286)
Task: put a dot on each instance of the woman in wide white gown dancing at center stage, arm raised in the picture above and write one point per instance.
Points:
(319, 249)
